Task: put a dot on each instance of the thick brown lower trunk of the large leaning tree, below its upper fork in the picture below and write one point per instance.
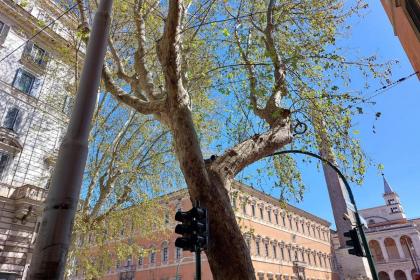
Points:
(227, 253)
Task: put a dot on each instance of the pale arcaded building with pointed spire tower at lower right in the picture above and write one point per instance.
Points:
(394, 239)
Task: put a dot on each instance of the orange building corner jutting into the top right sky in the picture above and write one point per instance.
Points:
(405, 19)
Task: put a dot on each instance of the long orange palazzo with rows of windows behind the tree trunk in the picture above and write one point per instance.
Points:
(285, 243)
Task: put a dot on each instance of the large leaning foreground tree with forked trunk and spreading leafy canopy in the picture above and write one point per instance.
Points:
(253, 68)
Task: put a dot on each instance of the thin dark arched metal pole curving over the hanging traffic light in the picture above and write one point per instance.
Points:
(356, 212)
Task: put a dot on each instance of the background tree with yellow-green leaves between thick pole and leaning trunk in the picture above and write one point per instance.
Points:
(122, 180)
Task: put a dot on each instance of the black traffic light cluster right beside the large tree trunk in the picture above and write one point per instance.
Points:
(193, 228)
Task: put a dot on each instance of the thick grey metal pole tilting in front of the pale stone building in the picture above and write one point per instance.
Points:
(50, 254)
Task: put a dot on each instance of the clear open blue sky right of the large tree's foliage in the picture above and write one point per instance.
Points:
(396, 143)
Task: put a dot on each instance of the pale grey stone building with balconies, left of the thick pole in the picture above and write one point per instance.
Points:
(34, 103)
